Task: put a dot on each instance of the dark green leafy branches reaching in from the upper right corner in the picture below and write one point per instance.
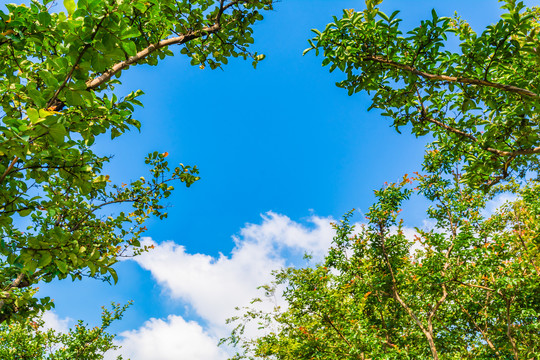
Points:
(479, 101)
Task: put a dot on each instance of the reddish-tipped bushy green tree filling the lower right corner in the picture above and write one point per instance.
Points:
(468, 288)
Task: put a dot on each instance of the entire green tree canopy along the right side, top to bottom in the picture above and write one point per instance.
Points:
(467, 286)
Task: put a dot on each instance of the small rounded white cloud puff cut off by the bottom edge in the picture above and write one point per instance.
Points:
(171, 339)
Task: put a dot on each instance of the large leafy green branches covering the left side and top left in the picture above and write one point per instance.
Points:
(58, 74)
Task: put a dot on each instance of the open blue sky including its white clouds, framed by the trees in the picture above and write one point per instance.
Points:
(281, 151)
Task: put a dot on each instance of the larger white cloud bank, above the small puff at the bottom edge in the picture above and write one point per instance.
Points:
(215, 286)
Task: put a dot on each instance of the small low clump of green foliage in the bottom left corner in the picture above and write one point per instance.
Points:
(29, 339)
